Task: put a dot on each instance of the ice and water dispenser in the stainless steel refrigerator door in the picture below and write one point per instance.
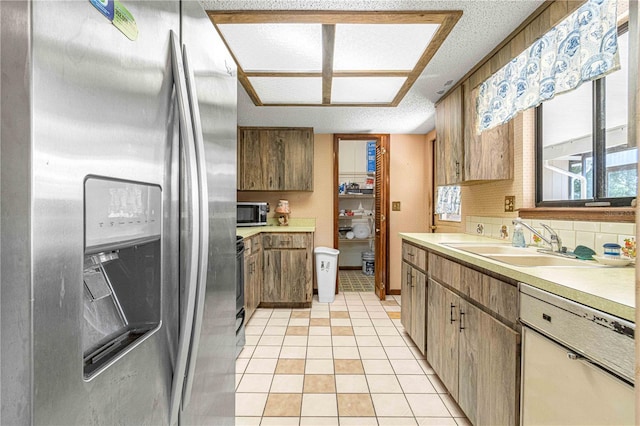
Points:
(122, 274)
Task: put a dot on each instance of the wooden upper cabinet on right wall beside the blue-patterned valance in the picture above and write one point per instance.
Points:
(462, 155)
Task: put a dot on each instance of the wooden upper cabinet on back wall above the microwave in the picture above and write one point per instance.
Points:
(275, 159)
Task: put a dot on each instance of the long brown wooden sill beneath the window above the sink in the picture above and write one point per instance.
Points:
(587, 214)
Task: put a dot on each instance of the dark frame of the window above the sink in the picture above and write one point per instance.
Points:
(598, 151)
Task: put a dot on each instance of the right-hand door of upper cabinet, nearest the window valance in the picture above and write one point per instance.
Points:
(489, 155)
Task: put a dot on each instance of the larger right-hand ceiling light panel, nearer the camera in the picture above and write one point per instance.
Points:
(381, 46)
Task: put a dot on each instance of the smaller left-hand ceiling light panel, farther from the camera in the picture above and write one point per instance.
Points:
(288, 90)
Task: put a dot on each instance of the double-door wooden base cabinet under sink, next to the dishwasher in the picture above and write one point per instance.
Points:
(473, 340)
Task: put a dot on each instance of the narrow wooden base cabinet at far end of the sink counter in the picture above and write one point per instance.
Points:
(414, 294)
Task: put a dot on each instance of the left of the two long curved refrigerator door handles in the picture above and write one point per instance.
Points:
(186, 136)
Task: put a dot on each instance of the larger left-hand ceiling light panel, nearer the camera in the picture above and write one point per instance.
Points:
(275, 47)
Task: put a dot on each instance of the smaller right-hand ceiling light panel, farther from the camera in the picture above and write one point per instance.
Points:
(365, 89)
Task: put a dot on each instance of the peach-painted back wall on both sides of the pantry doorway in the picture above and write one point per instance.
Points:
(409, 181)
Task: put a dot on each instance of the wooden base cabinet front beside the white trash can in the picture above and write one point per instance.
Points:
(287, 270)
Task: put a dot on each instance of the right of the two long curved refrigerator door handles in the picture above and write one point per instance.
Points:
(203, 252)
